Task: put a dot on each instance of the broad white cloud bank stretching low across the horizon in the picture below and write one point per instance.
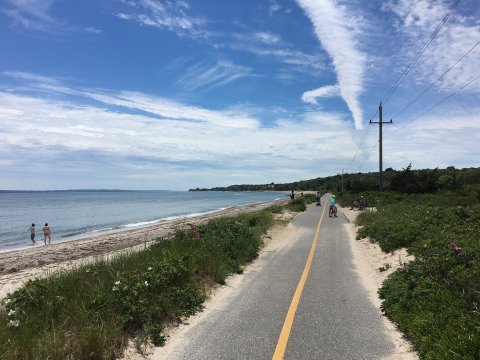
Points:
(136, 140)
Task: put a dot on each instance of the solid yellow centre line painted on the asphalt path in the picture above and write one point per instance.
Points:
(287, 325)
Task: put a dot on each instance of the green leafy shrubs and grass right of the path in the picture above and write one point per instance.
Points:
(434, 299)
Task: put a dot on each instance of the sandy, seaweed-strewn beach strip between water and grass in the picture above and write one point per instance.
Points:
(19, 266)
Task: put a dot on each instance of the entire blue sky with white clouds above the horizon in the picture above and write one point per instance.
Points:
(179, 94)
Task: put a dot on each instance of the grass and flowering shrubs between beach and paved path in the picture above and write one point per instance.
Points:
(92, 311)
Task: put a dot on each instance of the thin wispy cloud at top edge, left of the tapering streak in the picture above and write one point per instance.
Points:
(164, 14)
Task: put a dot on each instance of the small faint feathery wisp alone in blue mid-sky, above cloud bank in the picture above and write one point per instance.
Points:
(206, 75)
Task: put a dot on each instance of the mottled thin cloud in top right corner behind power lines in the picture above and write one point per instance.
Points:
(417, 20)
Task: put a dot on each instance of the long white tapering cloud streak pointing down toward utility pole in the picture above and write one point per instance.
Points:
(333, 27)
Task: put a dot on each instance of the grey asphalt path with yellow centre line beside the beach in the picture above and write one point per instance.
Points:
(333, 317)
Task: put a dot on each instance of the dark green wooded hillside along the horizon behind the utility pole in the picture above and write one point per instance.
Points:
(405, 180)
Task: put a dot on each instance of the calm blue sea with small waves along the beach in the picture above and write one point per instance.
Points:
(77, 214)
